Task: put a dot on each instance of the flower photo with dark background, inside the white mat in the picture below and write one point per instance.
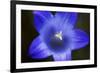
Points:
(55, 36)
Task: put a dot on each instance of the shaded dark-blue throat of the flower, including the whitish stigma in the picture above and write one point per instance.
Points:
(56, 41)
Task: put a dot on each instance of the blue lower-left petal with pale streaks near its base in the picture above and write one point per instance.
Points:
(38, 49)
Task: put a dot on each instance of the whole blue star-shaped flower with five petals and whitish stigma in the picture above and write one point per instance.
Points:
(57, 35)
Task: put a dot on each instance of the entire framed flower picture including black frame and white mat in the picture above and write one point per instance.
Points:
(52, 36)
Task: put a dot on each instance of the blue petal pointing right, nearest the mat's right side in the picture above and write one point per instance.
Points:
(79, 39)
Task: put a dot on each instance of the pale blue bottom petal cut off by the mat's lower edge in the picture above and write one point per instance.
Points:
(65, 56)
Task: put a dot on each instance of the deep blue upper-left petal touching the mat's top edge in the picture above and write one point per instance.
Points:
(40, 17)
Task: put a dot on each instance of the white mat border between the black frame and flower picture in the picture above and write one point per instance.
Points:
(20, 65)
